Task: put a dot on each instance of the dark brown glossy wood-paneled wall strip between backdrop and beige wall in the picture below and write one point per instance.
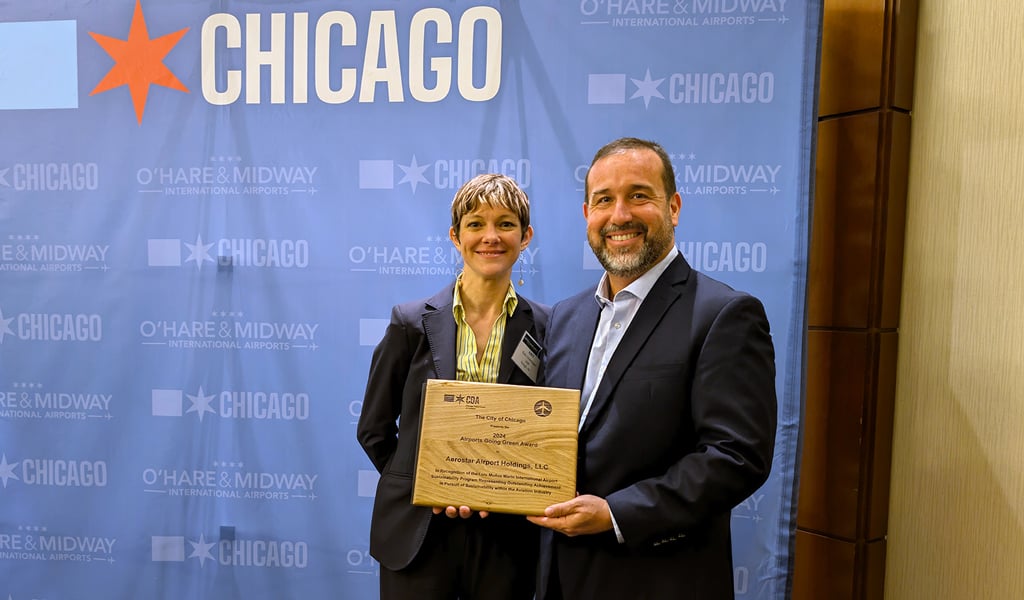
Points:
(855, 284)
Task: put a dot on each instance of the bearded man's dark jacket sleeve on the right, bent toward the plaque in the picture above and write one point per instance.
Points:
(734, 412)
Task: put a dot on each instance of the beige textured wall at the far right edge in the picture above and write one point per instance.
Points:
(957, 505)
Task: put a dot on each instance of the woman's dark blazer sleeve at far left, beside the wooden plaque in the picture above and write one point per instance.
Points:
(378, 431)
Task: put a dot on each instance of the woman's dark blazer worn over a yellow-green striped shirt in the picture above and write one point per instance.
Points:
(419, 345)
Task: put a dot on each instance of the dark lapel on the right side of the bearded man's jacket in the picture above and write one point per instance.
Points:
(665, 293)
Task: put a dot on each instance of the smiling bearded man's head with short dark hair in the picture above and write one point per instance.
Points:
(629, 220)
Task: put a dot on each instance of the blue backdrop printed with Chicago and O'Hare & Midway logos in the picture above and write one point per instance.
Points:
(207, 210)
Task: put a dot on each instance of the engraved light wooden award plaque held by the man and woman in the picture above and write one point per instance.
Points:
(507, 449)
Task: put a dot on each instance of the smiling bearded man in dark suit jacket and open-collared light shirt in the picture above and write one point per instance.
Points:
(678, 402)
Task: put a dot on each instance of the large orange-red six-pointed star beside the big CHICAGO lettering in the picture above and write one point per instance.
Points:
(139, 62)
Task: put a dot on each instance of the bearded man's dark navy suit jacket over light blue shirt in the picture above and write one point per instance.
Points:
(681, 431)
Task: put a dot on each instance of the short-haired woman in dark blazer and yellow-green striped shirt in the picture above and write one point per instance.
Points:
(468, 332)
